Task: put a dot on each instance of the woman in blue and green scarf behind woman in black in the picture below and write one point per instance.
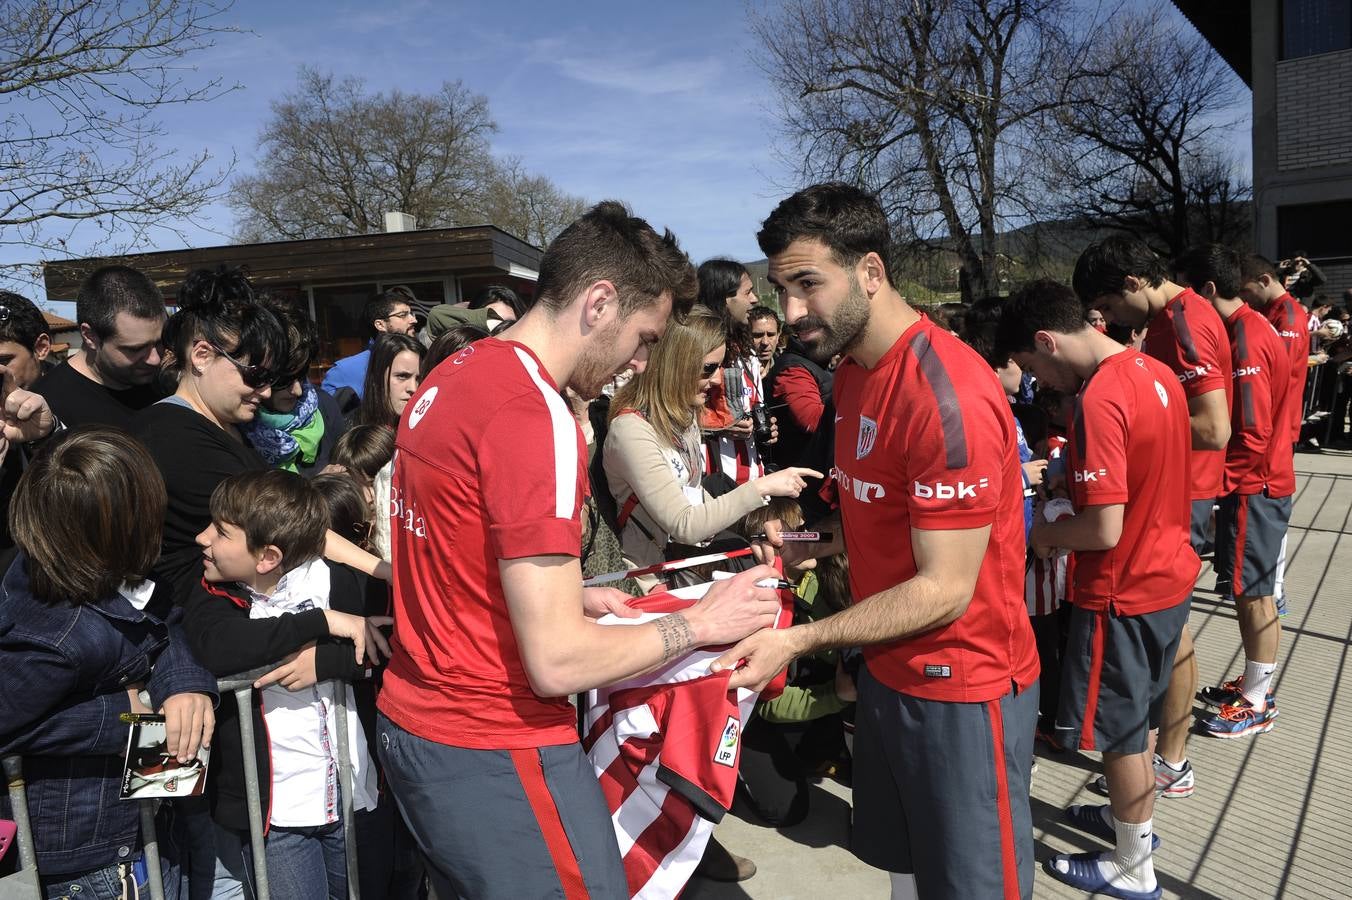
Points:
(298, 425)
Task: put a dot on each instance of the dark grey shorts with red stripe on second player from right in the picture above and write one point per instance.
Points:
(1250, 530)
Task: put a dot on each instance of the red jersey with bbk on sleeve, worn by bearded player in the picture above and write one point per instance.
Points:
(925, 440)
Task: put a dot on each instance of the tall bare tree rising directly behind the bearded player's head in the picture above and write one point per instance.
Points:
(934, 105)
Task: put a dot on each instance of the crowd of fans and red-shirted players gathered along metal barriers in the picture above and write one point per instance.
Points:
(1016, 491)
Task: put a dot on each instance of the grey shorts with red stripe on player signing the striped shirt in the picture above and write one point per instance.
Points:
(504, 824)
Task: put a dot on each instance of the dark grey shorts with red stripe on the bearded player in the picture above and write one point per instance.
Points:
(942, 791)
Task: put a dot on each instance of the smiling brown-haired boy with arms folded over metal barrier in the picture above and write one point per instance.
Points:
(266, 598)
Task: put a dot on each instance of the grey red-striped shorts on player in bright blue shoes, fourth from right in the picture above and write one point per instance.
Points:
(1115, 676)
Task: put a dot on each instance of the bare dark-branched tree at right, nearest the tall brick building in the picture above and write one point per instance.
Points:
(1147, 129)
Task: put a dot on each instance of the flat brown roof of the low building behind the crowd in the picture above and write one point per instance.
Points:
(386, 256)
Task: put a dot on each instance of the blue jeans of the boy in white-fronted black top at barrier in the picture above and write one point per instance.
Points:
(304, 864)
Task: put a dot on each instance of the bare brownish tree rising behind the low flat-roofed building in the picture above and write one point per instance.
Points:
(336, 159)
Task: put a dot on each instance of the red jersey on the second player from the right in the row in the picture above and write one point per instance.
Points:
(1255, 461)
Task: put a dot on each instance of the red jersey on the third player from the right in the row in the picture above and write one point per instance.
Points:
(1189, 337)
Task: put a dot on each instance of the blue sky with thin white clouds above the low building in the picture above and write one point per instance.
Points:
(659, 105)
